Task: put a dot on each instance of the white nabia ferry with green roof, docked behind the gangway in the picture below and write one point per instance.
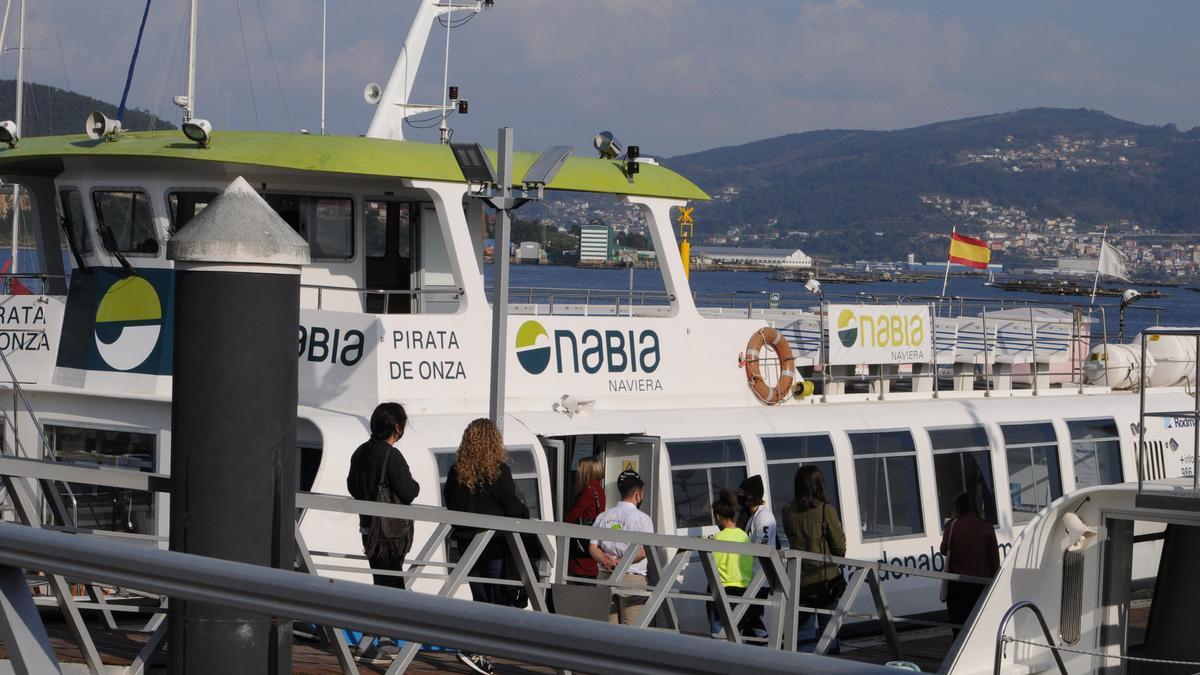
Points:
(903, 407)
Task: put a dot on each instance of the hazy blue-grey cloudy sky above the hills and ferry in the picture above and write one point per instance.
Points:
(670, 76)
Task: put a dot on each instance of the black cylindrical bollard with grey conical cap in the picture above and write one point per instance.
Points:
(233, 453)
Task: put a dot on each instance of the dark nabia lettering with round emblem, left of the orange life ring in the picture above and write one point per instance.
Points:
(591, 351)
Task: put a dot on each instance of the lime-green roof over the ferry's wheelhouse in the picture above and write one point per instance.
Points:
(334, 154)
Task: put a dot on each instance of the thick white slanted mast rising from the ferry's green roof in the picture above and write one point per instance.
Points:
(393, 107)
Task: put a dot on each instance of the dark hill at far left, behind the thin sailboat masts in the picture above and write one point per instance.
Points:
(51, 111)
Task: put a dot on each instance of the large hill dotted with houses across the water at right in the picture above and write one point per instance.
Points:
(874, 195)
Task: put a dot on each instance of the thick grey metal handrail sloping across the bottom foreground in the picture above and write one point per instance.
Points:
(553, 641)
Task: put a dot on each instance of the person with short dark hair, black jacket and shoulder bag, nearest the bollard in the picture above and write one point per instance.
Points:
(367, 465)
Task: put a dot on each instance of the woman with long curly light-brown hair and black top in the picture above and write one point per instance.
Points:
(482, 482)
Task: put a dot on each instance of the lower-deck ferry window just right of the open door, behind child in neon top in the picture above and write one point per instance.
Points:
(700, 470)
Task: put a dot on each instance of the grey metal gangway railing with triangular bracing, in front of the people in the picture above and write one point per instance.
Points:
(681, 575)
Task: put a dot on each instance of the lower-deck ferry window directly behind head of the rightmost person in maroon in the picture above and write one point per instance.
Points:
(963, 464)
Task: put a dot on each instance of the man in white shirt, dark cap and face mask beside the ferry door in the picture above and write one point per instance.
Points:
(626, 516)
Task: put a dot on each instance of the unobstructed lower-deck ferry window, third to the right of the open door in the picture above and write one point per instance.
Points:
(889, 489)
